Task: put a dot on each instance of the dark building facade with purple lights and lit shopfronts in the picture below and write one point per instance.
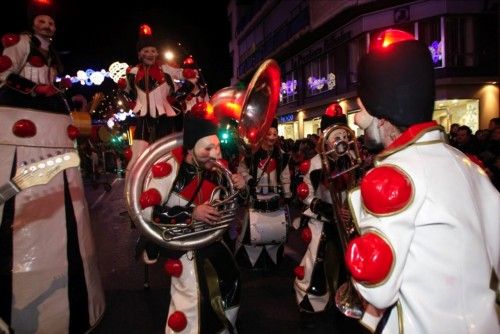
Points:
(318, 44)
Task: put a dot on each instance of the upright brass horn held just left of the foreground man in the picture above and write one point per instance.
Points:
(340, 158)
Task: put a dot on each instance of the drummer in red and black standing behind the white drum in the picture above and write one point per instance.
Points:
(268, 178)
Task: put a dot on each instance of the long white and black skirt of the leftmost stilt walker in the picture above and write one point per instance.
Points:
(49, 229)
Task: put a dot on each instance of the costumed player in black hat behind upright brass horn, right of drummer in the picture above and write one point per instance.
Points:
(318, 273)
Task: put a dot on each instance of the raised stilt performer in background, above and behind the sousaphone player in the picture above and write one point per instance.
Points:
(160, 93)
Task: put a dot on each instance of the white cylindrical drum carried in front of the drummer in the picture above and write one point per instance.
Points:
(269, 228)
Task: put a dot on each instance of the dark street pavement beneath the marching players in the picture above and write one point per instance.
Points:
(267, 302)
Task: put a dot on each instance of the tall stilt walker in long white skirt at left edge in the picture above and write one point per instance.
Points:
(49, 281)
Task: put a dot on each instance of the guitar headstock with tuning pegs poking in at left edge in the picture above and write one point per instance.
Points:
(38, 173)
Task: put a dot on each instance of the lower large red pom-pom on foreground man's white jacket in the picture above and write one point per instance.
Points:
(369, 258)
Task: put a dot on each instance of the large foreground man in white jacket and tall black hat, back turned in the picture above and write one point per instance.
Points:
(428, 217)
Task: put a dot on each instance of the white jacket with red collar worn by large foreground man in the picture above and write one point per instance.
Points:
(426, 232)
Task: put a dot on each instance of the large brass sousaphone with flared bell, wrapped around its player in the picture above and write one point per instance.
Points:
(254, 108)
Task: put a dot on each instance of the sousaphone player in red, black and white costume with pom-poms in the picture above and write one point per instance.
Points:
(205, 287)
